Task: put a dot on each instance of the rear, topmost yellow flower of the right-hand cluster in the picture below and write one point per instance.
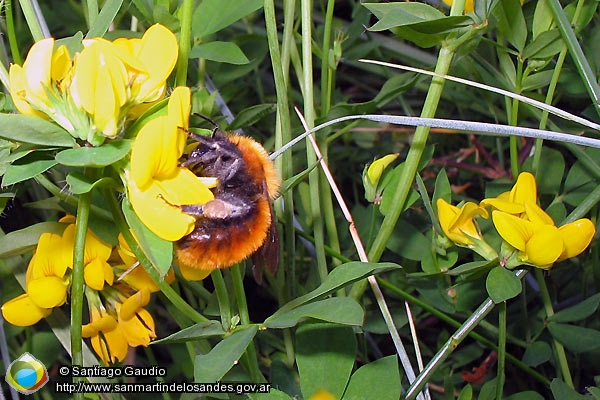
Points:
(513, 202)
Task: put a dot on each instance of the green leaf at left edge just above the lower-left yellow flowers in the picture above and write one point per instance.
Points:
(26, 239)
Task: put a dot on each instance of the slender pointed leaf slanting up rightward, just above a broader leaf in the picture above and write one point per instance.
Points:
(340, 277)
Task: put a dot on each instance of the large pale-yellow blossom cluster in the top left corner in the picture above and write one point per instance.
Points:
(105, 84)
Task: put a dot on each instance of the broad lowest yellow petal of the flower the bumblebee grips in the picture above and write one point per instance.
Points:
(165, 220)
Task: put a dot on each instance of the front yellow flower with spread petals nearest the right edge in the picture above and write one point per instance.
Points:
(539, 242)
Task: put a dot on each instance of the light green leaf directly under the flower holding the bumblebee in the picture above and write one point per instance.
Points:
(158, 251)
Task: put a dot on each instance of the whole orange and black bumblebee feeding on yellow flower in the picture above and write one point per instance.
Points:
(239, 221)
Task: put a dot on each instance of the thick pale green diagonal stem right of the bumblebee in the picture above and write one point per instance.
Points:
(410, 167)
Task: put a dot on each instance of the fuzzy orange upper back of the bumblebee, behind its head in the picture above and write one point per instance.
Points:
(257, 159)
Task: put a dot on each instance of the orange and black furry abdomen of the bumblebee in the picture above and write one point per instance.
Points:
(222, 243)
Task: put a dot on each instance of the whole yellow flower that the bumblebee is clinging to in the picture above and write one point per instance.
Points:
(157, 185)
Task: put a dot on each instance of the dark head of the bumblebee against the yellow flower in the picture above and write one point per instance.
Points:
(215, 156)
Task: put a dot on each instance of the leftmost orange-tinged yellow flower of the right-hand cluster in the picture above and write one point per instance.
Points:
(457, 222)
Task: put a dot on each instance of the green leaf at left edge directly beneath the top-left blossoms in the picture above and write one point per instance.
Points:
(34, 130)
